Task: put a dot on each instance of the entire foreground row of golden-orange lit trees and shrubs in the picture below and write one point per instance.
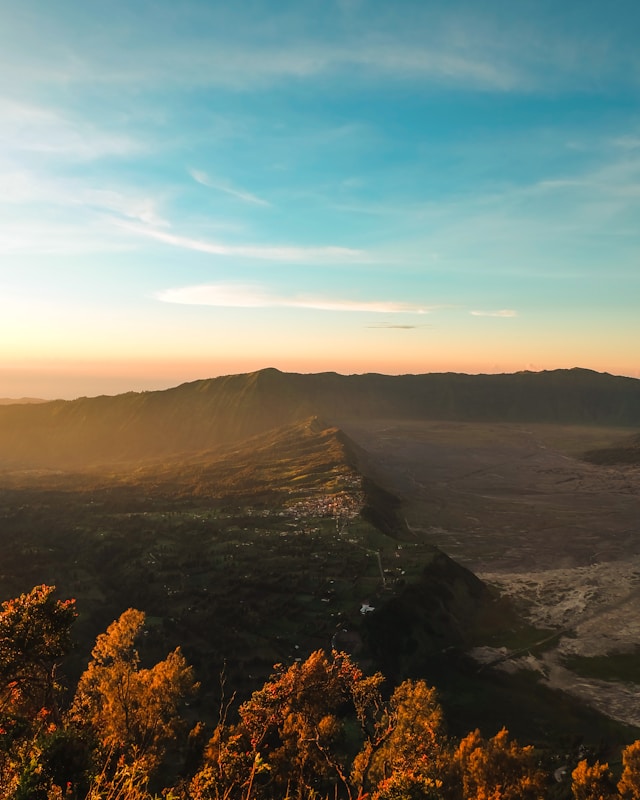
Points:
(319, 728)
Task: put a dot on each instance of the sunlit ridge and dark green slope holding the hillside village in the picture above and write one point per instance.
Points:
(246, 554)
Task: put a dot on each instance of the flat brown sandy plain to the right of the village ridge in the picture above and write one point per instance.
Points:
(516, 505)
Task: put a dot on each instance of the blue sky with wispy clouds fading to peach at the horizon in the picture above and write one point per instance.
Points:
(200, 188)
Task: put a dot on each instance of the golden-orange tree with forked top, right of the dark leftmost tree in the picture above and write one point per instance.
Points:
(133, 711)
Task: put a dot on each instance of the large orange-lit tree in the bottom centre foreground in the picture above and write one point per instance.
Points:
(297, 735)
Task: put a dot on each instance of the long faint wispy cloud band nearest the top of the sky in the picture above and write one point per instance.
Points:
(246, 66)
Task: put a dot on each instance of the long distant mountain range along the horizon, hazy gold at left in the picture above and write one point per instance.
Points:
(208, 413)
